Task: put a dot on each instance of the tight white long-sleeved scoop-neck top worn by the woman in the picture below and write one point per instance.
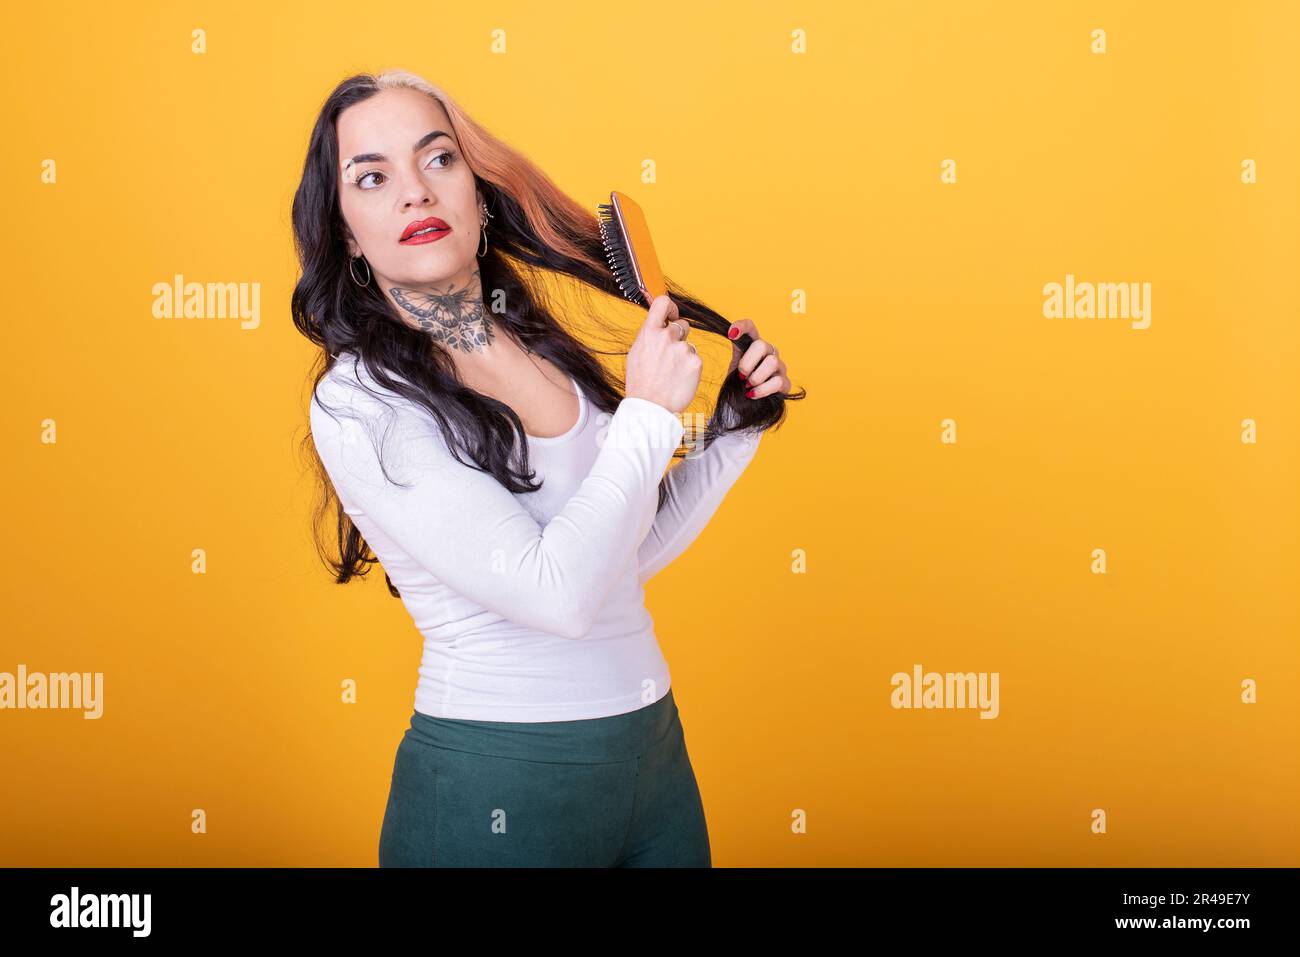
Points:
(532, 605)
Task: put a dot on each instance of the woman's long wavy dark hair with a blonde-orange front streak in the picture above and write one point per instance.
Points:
(538, 233)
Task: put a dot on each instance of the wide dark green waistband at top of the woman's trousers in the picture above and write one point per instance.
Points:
(586, 742)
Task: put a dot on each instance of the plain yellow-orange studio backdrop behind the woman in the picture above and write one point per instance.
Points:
(775, 172)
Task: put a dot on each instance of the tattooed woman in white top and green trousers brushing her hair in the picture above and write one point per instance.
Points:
(515, 496)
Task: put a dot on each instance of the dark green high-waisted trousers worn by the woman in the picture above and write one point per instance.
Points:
(601, 793)
